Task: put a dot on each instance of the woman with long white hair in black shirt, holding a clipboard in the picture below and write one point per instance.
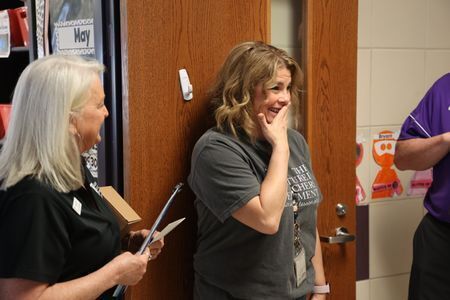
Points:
(60, 239)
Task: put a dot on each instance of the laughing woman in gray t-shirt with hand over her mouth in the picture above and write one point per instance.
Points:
(256, 195)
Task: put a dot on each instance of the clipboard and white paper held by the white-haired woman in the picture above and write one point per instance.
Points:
(120, 289)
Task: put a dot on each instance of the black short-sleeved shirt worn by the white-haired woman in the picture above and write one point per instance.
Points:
(52, 237)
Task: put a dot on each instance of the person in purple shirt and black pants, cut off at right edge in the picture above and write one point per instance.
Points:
(424, 143)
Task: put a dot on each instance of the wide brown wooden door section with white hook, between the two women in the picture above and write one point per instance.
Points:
(160, 128)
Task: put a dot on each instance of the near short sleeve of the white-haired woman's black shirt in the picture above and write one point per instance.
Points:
(35, 237)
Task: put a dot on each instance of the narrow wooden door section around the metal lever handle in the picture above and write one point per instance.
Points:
(331, 48)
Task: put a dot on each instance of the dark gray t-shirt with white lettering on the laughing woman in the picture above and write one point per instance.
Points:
(234, 261)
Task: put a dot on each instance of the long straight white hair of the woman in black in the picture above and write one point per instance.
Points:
(38, 142)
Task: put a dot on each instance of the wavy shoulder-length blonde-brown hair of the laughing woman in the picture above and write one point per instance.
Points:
(248, 65)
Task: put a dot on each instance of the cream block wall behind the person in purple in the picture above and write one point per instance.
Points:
(403, 47)
